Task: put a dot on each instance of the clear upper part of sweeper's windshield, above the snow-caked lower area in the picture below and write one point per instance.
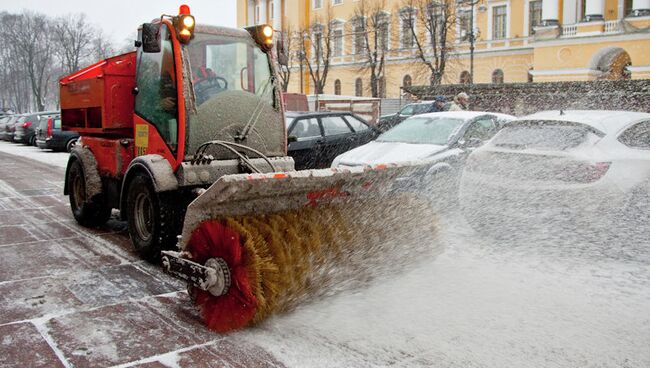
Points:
(222, 63)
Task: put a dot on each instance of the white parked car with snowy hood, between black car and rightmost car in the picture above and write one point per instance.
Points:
(444, 139)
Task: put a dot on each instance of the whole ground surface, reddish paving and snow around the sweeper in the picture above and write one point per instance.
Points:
(74, 297)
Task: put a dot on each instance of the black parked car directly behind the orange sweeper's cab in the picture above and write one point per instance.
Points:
(316, 138)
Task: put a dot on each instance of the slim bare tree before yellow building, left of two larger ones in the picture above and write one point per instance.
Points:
(315, 49)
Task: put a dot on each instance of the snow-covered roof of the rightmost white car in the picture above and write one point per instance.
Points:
(604, 120)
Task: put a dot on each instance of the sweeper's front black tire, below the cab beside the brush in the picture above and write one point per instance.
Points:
(155, 219)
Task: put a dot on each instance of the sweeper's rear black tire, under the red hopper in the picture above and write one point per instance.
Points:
(88, 212)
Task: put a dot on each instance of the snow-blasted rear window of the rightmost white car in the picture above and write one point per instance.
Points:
(542, 135)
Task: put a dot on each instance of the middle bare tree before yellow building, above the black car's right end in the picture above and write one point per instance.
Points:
(371, 40)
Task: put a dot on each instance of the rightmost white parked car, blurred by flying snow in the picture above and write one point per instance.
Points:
(560, 168)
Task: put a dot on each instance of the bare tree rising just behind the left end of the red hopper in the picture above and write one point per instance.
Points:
(73, 38)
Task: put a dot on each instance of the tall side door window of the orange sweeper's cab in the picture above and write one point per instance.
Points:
(156, 81)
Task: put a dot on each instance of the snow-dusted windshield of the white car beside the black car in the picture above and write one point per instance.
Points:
(421, 130)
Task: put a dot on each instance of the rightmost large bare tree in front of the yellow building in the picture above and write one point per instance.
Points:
(432, 46)
